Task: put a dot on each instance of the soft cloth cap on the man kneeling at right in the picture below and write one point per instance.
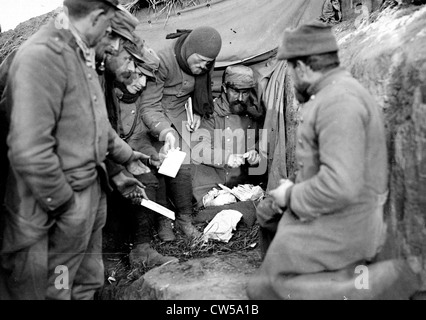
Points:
(312, 38)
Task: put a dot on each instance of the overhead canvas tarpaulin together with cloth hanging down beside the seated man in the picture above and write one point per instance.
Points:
(251, 31)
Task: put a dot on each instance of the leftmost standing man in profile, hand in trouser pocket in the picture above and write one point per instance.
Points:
(58, 140)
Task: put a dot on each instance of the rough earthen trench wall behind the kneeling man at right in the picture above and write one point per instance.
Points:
(389, 57)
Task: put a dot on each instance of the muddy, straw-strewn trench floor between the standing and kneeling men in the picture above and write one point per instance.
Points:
(215, 270)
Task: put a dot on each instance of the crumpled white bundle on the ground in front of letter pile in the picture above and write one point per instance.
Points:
(222, 225)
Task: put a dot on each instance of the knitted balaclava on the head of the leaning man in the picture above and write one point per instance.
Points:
(205, 41)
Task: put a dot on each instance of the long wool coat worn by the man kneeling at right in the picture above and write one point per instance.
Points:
(337, 200)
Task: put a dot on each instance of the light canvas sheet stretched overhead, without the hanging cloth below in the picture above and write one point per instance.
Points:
(249, 28)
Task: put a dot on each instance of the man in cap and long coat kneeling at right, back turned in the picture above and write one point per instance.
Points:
(316, 228)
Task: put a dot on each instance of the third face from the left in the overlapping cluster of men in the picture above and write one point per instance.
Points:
(121, 66)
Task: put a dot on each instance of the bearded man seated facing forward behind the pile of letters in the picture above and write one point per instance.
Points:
(239, 116)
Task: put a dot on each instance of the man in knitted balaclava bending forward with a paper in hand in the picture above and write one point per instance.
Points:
(184, 72)
